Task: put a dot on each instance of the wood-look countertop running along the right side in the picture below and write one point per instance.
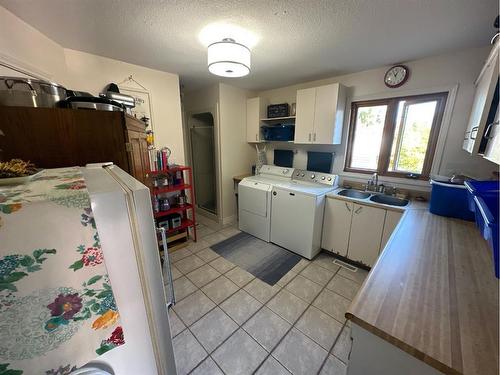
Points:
(433, 294)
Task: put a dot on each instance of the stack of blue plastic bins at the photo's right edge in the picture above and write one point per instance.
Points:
(484, 201)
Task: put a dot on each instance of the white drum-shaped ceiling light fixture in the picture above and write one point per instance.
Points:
(228, 58)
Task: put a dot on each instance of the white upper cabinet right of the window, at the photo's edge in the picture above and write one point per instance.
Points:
(486, 84)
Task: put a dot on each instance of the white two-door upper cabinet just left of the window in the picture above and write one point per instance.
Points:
(320, 114)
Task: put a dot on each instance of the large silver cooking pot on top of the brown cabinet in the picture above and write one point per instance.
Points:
(27, 92)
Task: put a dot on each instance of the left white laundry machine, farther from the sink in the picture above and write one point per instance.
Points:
(254, 199)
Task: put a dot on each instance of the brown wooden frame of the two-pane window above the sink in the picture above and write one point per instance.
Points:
(388, 131)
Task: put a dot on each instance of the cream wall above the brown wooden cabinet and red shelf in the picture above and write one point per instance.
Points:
(26, 48)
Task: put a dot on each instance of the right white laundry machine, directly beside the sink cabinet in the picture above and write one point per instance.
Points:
(297, 211)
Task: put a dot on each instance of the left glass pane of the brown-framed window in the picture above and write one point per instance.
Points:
(368, 131)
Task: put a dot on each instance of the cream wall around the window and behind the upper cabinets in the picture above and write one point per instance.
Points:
(435, 73)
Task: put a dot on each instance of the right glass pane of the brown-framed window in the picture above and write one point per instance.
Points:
(411, 136)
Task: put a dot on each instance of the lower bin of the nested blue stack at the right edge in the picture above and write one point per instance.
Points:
(486, 209)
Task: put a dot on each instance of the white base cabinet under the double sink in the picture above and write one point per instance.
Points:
(356, 231)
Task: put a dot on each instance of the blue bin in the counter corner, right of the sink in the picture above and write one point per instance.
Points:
(450, 200)
